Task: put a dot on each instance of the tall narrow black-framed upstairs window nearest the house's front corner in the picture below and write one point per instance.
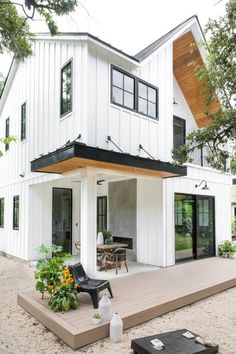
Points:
(66, 88)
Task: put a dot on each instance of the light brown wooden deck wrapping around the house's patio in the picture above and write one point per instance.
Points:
(138, 298)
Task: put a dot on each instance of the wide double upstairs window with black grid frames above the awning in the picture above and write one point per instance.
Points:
(130, 92)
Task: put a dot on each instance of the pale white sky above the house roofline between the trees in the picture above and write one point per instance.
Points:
(129, 25)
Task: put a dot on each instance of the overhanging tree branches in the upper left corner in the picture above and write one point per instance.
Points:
(15, 35)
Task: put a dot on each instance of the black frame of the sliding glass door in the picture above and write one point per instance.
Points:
(195, 256)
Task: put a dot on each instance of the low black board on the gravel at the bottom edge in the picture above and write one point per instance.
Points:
(174, 343)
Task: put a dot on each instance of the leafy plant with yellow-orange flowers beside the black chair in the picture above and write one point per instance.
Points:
(65, 297)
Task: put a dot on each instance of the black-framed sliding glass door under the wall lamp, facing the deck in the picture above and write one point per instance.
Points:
(194, 226)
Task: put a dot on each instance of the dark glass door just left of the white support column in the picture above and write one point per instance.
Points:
(62, 218)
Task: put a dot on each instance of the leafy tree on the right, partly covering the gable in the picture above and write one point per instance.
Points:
(219, 81)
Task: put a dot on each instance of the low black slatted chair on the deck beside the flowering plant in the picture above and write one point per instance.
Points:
(88, 285)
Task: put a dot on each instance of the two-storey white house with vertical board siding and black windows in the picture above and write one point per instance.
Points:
(95, 130)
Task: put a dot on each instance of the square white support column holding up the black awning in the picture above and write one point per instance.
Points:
(88, 220)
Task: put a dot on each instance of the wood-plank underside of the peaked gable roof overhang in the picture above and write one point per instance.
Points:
(185, 51)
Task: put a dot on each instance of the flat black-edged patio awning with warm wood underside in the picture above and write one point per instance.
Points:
(77, 155)
